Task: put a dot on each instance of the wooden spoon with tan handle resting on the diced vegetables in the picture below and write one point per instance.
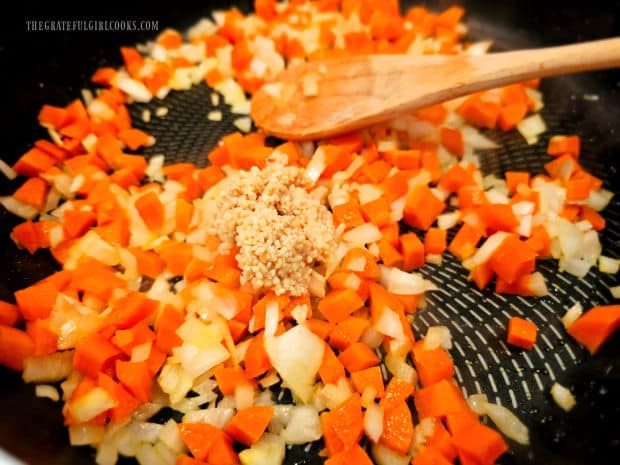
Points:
(322, 98)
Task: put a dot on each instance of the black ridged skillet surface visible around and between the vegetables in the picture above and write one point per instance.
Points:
(51, 67)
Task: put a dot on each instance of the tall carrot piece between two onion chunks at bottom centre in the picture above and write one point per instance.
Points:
(342, 426)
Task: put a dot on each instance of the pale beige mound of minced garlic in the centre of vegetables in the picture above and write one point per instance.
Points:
(282, 232)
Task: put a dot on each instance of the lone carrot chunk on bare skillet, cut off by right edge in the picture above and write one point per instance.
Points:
(596, 325)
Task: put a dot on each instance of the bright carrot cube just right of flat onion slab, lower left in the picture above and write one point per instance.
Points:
(94, 354)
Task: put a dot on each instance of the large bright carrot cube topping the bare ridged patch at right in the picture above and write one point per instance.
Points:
(512, 259)
